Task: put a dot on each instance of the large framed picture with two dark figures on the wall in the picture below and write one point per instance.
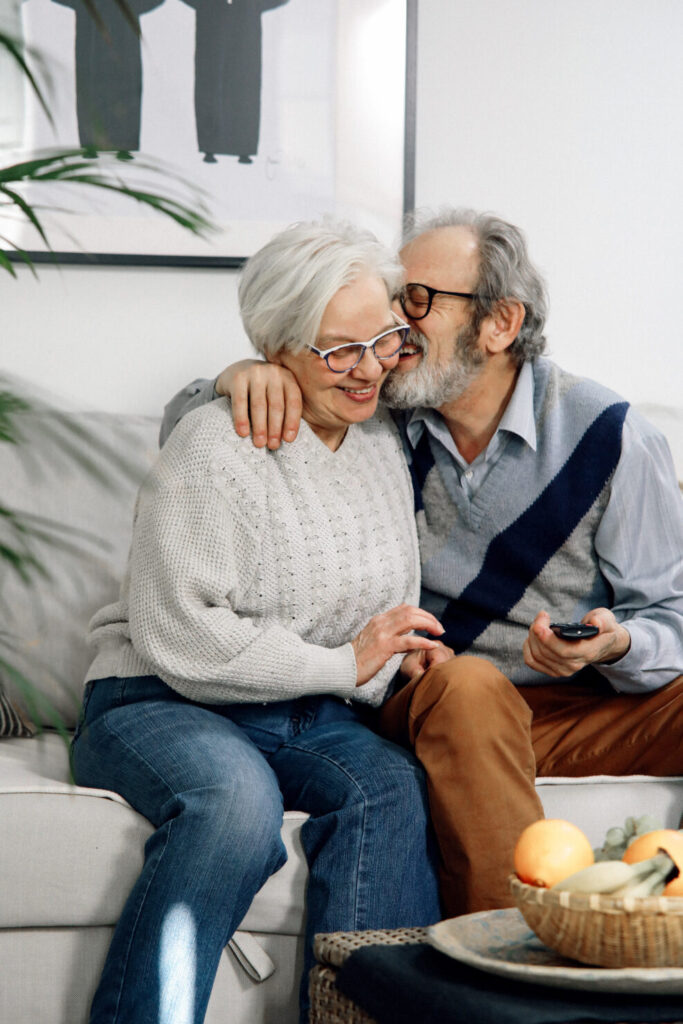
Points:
(268, 112)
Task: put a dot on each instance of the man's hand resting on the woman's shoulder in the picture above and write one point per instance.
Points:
(266, 399)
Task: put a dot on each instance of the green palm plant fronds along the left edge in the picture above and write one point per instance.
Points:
(24, 538)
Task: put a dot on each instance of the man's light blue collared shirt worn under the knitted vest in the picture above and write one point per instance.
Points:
(639, 542)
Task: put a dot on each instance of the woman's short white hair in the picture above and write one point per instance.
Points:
(287, 285)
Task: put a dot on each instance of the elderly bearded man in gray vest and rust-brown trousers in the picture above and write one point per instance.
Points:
(540, 497)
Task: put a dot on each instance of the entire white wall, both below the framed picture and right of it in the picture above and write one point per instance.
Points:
(562, 115)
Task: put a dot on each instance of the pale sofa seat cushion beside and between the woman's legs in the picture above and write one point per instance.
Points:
(70, 856)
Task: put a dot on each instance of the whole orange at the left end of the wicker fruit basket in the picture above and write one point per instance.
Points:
(550, 850)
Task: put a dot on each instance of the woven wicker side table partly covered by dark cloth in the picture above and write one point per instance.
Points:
(328, 1005)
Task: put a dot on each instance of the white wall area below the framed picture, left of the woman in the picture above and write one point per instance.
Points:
(122, 339)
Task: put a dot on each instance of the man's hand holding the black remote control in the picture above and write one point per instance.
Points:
(548, 654)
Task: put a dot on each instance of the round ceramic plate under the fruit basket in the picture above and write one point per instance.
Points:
(501, 943)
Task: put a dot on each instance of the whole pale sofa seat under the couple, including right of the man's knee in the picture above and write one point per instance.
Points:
(71, 856)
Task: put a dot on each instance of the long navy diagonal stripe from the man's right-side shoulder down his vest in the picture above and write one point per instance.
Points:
(516, 558)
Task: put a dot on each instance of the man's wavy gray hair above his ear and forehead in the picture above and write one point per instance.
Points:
(505, 272)
